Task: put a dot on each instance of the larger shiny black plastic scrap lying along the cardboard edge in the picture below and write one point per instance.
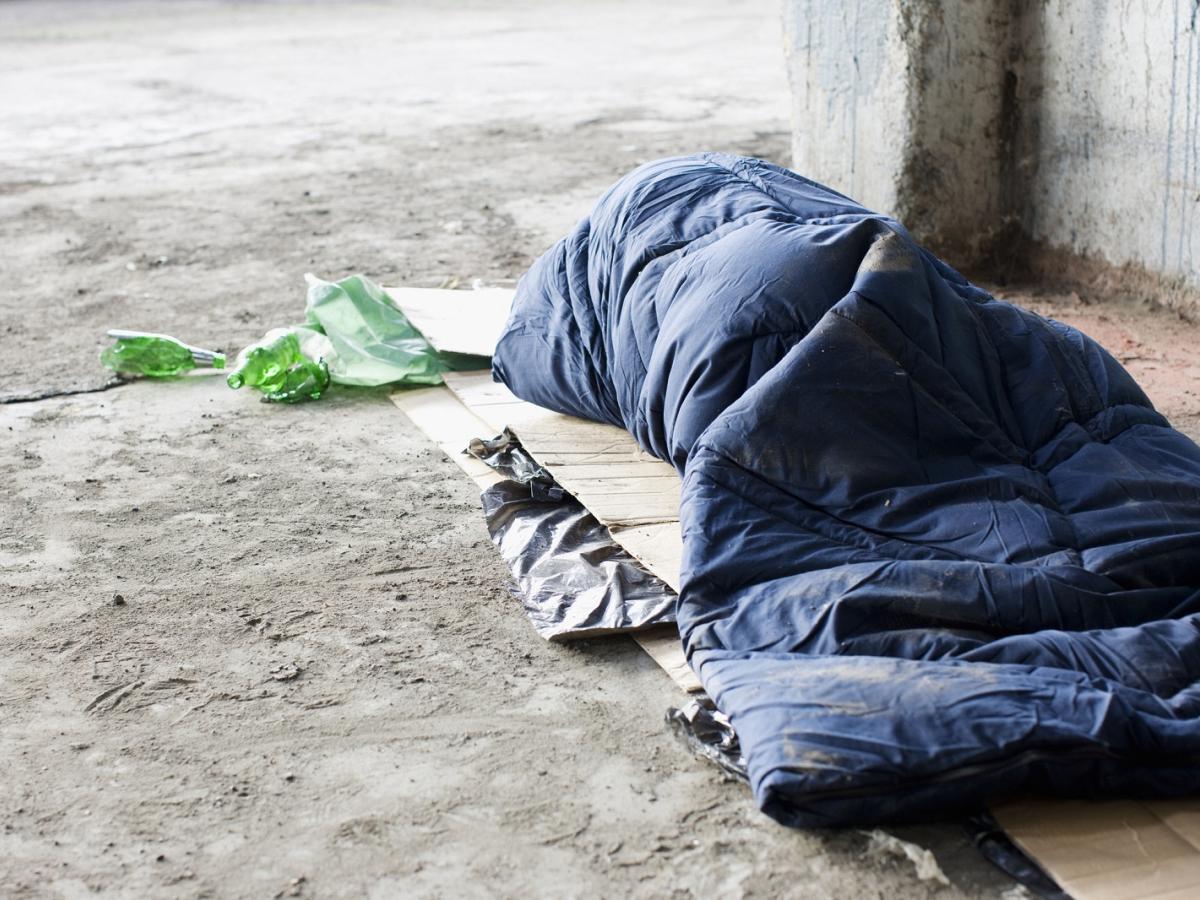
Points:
(572, 578)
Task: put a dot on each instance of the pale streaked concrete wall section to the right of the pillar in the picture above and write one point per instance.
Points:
(1113, 131)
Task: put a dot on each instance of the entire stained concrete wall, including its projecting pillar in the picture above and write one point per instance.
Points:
(1072, 123)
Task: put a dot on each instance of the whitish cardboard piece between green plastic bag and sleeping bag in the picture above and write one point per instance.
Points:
(457, 321)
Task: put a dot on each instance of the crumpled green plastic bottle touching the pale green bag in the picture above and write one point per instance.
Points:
(289, 365)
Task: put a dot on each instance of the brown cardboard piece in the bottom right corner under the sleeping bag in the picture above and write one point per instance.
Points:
(1119, 850)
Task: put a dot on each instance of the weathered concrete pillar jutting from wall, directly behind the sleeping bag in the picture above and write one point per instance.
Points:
(907, 106)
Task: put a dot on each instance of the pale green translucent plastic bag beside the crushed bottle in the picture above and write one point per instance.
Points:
(374, 343)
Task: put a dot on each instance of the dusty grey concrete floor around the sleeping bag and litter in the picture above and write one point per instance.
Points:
(250, 651)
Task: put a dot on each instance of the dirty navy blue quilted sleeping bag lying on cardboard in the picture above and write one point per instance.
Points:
(937, 548)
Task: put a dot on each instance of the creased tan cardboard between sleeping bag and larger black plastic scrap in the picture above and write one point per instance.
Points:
(602, 465)
